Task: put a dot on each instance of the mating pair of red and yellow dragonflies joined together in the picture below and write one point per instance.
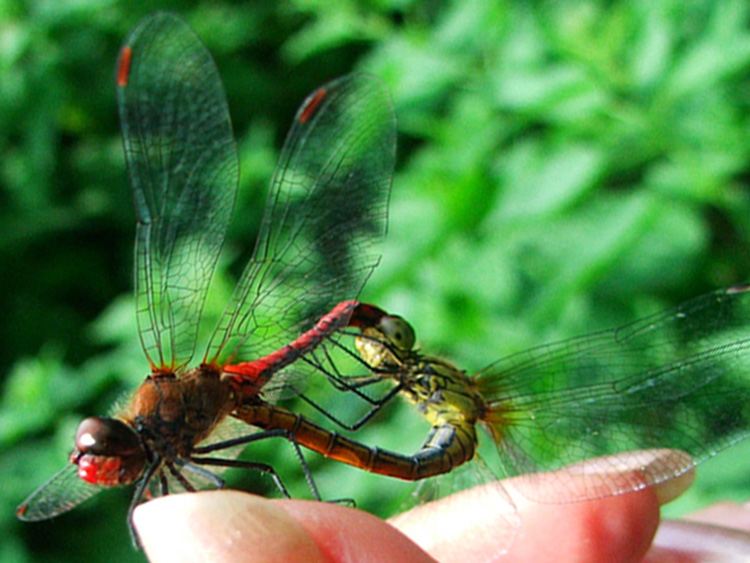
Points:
(676, 380)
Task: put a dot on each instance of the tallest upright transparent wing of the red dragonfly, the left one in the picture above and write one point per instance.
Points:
(184, 172)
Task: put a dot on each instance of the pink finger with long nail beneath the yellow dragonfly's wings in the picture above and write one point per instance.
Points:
(473, 524)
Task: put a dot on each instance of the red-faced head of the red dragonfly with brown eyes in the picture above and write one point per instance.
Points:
(108, 452)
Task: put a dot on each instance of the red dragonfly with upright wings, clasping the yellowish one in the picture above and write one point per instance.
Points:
(326, 208)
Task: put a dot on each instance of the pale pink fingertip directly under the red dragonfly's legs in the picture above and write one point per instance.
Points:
(224, 526)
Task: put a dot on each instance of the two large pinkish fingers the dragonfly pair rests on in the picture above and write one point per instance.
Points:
(474, 525)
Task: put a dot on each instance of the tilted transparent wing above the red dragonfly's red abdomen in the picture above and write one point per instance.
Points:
(326, 208)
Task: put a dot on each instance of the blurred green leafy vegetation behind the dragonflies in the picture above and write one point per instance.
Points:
(563, 166)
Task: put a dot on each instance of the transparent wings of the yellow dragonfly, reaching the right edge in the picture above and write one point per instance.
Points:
(676, 380)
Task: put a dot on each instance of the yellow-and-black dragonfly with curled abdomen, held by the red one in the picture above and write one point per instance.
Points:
(676, 380)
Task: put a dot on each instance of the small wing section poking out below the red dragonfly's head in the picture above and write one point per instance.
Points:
(63, 492)
